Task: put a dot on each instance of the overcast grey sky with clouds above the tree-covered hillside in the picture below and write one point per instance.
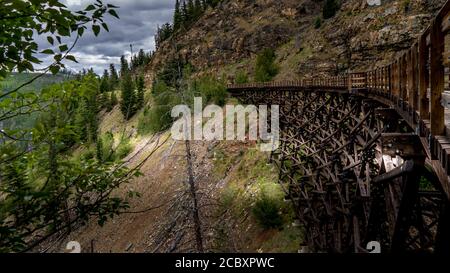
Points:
(137, 26)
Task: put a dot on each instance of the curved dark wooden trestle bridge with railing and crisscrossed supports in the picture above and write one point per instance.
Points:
(366, 156)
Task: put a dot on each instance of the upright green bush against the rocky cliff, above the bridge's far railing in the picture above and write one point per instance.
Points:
(265, 69)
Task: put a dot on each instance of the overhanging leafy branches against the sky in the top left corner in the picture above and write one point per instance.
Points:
(20, 20)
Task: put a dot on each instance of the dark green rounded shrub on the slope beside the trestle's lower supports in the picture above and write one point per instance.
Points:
(266, 211)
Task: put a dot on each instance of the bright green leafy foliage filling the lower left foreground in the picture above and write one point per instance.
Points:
(40, 185)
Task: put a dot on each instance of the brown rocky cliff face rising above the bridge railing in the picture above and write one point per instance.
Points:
(361, 34)
